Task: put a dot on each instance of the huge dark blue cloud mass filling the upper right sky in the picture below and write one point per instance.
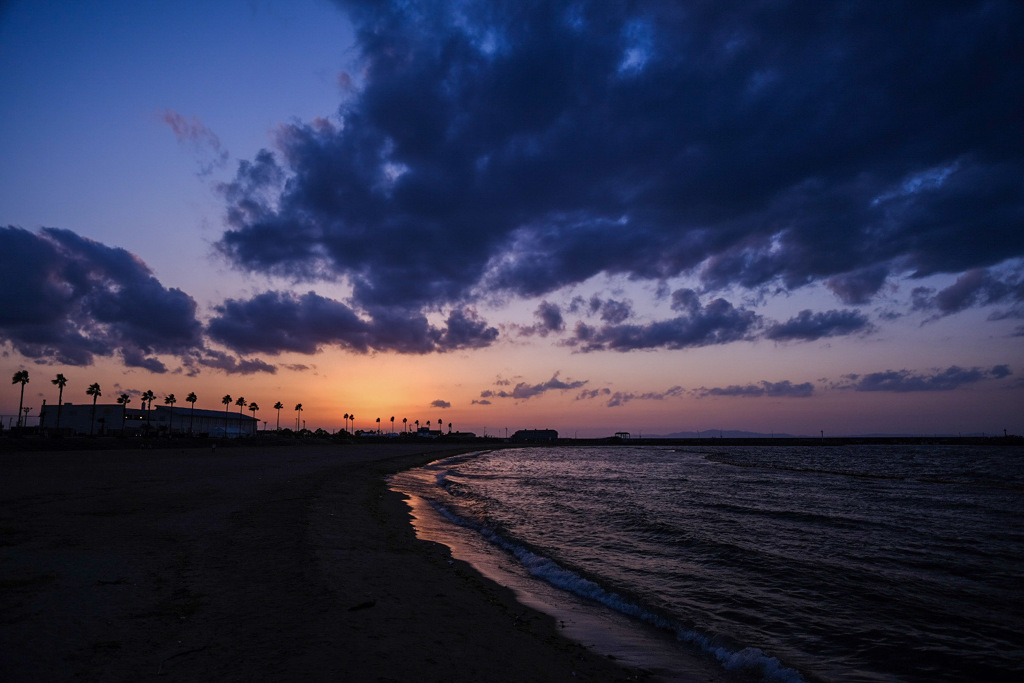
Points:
(525, 147)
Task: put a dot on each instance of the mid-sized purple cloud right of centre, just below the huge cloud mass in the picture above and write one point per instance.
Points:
(717, 323)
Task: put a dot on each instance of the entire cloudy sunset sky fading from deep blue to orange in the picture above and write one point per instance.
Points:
(656, 218)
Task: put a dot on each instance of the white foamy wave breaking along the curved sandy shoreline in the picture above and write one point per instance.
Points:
(747, 660)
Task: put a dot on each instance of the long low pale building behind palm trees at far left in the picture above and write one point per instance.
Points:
(115, 419)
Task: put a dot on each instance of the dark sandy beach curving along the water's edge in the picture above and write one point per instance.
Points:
(246, 564)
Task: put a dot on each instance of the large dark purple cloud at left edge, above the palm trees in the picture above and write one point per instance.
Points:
(69, 300)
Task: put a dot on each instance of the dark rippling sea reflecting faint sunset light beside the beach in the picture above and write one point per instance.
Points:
(775, 564)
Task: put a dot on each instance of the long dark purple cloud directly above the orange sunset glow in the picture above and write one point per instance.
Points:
(280, 322)
